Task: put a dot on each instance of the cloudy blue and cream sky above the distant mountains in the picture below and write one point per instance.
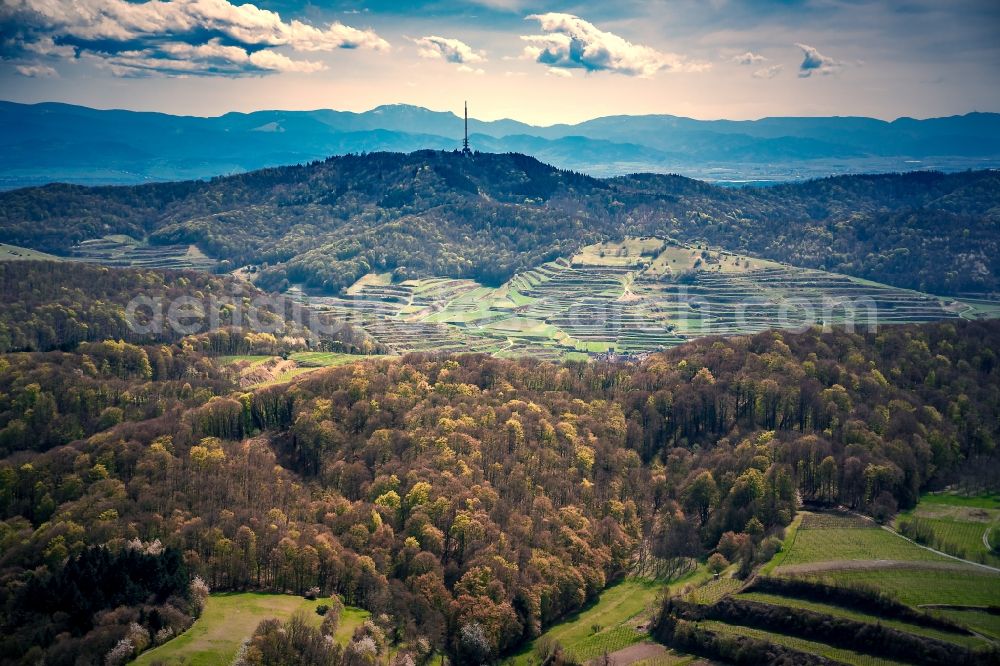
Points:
(540, 62)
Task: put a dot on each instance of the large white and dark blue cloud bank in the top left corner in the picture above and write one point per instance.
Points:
(174, 37)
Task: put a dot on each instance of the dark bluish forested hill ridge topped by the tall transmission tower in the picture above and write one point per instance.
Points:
(489, 215)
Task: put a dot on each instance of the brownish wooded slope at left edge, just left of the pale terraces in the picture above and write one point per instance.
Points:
(57, 305)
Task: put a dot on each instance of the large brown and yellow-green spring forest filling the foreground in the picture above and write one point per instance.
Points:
(467, 501)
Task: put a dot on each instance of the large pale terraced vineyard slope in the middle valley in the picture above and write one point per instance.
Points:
(630, 297)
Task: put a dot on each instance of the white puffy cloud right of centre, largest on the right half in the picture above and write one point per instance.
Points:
(573, 43)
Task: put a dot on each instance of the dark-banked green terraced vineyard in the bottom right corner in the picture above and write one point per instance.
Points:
(833, 551)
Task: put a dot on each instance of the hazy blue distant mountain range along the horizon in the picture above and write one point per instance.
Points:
(50, 142)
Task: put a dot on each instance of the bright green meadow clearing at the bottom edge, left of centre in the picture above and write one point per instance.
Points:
(229, 618)
